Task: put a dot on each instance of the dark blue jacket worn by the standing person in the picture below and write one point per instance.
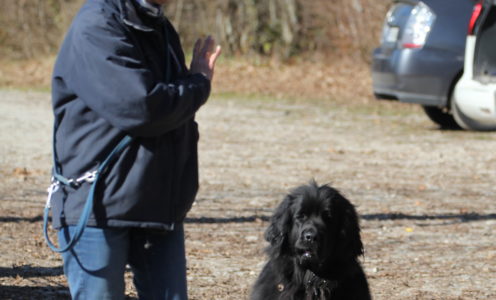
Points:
(120, 71)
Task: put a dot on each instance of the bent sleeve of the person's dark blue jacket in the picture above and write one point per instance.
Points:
(108, 73)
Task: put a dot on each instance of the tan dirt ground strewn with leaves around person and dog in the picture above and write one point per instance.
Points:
(426, 196)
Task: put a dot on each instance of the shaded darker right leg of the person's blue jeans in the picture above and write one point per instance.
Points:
(159, 264)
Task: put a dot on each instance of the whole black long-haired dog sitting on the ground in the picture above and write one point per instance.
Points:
(314, 248)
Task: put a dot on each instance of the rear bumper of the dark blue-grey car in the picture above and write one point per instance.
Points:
(422, 76)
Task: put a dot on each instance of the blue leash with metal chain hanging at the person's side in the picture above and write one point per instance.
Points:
(93, 178)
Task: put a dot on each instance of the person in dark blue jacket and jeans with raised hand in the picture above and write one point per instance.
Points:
(121, 72)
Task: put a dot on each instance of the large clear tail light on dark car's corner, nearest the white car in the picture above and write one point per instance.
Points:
(418, 26)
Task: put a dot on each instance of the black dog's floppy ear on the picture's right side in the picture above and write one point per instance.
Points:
(350, 243)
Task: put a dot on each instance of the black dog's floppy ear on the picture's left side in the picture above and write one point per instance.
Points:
(280, 224)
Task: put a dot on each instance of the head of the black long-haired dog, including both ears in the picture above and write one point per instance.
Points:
(315, 226)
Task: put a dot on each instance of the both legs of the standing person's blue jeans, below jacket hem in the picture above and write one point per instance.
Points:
(95, 266)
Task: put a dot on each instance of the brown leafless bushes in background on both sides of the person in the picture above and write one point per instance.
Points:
(276, 28)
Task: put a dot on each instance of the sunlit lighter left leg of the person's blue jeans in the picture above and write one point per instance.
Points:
(95, 266)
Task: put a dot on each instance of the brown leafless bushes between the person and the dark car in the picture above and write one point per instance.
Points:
(283, 28)
